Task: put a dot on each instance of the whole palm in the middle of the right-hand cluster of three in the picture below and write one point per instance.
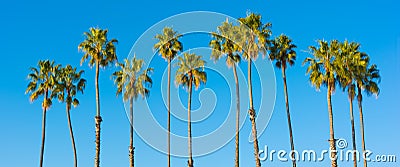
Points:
(353, 62)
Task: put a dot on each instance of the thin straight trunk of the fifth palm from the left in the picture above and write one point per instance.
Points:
(169, 113)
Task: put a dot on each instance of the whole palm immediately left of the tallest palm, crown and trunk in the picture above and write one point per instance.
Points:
(223, 44)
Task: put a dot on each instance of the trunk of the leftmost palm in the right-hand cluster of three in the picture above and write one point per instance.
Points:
(331, 131)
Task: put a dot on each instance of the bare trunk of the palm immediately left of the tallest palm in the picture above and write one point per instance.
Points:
(237, 116)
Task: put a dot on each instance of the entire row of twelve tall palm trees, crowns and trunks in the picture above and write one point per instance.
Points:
(333, 64)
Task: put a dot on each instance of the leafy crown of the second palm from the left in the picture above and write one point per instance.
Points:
(70, 82)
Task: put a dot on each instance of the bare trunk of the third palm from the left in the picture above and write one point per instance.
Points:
(97, 118)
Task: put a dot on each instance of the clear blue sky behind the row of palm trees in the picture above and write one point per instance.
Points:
(35, 30)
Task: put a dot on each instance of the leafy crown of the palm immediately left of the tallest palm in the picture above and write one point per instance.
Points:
(224, 43)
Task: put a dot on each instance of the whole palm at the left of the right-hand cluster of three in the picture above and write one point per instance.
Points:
(322, 70)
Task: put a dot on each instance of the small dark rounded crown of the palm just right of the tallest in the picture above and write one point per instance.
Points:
(282, 51)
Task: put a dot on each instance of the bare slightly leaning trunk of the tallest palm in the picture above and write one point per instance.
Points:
(252, 114)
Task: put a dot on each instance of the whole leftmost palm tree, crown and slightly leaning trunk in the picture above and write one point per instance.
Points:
(42, 83)
